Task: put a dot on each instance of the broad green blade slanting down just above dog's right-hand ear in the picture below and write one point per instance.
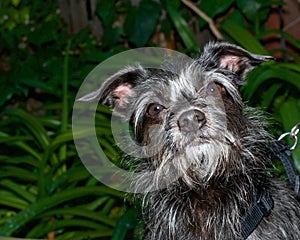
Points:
(243, 37)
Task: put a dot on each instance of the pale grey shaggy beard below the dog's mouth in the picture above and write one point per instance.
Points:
(196, 166)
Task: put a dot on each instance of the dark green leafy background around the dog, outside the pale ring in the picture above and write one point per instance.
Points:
(48, 47)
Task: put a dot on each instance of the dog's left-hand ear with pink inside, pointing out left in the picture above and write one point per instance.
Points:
(116, 90)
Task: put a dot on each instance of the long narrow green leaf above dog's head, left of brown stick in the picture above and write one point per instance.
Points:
(183, 29)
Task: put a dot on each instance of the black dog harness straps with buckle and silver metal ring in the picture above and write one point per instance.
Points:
(263, 204)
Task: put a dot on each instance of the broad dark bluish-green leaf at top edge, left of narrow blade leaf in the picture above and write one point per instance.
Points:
(141, 22)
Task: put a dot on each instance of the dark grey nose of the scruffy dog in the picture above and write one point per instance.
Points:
(191, 121)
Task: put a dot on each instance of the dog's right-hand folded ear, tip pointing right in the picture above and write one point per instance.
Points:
(231, 57)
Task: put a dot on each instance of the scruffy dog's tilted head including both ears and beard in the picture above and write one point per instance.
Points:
(188, 116)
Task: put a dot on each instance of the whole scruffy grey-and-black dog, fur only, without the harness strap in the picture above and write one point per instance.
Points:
(205, 155)
